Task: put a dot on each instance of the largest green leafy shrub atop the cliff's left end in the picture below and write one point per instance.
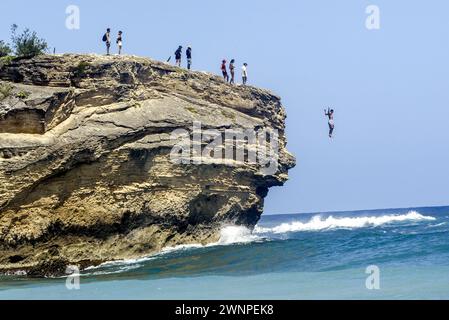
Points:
(27, 44)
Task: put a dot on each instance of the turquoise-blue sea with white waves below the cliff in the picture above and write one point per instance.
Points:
(307, 256)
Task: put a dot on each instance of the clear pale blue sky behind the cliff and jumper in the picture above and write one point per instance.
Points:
(389, 87)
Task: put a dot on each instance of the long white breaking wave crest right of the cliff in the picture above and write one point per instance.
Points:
(318, 223)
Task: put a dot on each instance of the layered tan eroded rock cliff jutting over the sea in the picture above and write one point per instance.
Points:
(85, 168)
